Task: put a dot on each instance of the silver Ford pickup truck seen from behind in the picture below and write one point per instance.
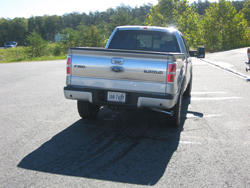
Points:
(140, 67)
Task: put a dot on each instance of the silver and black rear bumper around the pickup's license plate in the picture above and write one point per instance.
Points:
(133, 99)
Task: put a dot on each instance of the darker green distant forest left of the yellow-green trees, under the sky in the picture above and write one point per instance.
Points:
(47, 27)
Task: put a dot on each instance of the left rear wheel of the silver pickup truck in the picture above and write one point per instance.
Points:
(87, 110)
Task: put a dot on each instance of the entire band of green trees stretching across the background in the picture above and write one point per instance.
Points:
(217, 26)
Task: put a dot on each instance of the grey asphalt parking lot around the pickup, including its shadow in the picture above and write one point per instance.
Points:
(44, 142)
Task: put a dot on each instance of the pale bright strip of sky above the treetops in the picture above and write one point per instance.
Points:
(27, 8)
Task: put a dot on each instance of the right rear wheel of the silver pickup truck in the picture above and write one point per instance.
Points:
(175, 120)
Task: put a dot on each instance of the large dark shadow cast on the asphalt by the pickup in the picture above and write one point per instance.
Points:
(129, 147)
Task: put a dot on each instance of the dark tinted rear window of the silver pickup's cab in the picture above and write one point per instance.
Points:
(144, 40)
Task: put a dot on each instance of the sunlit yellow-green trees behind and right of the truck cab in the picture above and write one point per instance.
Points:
(219, 27)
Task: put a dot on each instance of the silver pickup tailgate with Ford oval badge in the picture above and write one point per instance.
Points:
(122, 70)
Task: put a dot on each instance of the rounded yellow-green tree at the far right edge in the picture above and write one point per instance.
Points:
(224, 28)
